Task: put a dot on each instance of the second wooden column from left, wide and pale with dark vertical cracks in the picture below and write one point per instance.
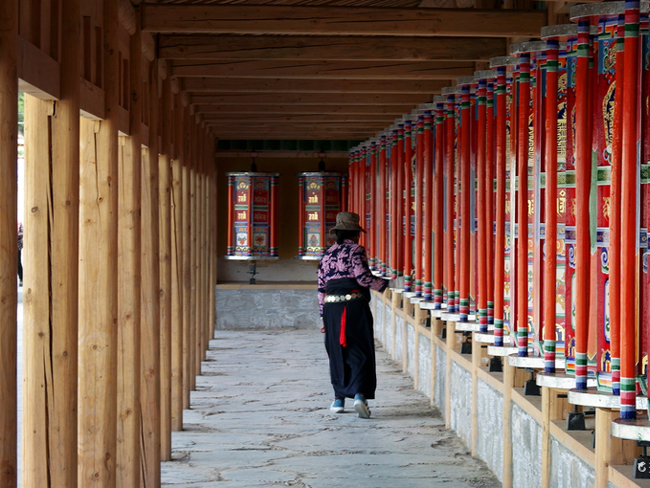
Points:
(51, 249)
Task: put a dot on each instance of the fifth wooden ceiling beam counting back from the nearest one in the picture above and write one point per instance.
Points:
(311, 98)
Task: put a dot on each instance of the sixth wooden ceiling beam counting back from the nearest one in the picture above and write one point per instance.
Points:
(396, 110)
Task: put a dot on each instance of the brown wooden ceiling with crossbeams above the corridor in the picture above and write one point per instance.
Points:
(327, 69)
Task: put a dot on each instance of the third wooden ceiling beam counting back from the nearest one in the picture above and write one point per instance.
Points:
(382, 70)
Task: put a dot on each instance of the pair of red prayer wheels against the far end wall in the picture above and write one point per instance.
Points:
(253, 213)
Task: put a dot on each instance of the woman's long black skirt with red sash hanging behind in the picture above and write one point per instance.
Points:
(351, 354)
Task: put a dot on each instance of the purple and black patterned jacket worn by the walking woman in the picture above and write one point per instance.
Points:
(347, 260)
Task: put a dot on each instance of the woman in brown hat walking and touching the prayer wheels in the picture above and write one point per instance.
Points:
(344, 283)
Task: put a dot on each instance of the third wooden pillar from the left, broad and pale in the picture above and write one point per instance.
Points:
(98, 277)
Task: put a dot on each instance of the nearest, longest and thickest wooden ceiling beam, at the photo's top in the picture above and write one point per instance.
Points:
(348, 21)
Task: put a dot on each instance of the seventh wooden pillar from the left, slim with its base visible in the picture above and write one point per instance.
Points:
(179, 342)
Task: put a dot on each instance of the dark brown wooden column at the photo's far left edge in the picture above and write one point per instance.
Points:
(8, 240)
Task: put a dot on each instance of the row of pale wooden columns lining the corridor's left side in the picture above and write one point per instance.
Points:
(115, 253)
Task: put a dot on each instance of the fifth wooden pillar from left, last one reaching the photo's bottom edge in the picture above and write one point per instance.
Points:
(150, 325)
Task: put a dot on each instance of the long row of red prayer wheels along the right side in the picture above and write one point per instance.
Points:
(520, 198)
